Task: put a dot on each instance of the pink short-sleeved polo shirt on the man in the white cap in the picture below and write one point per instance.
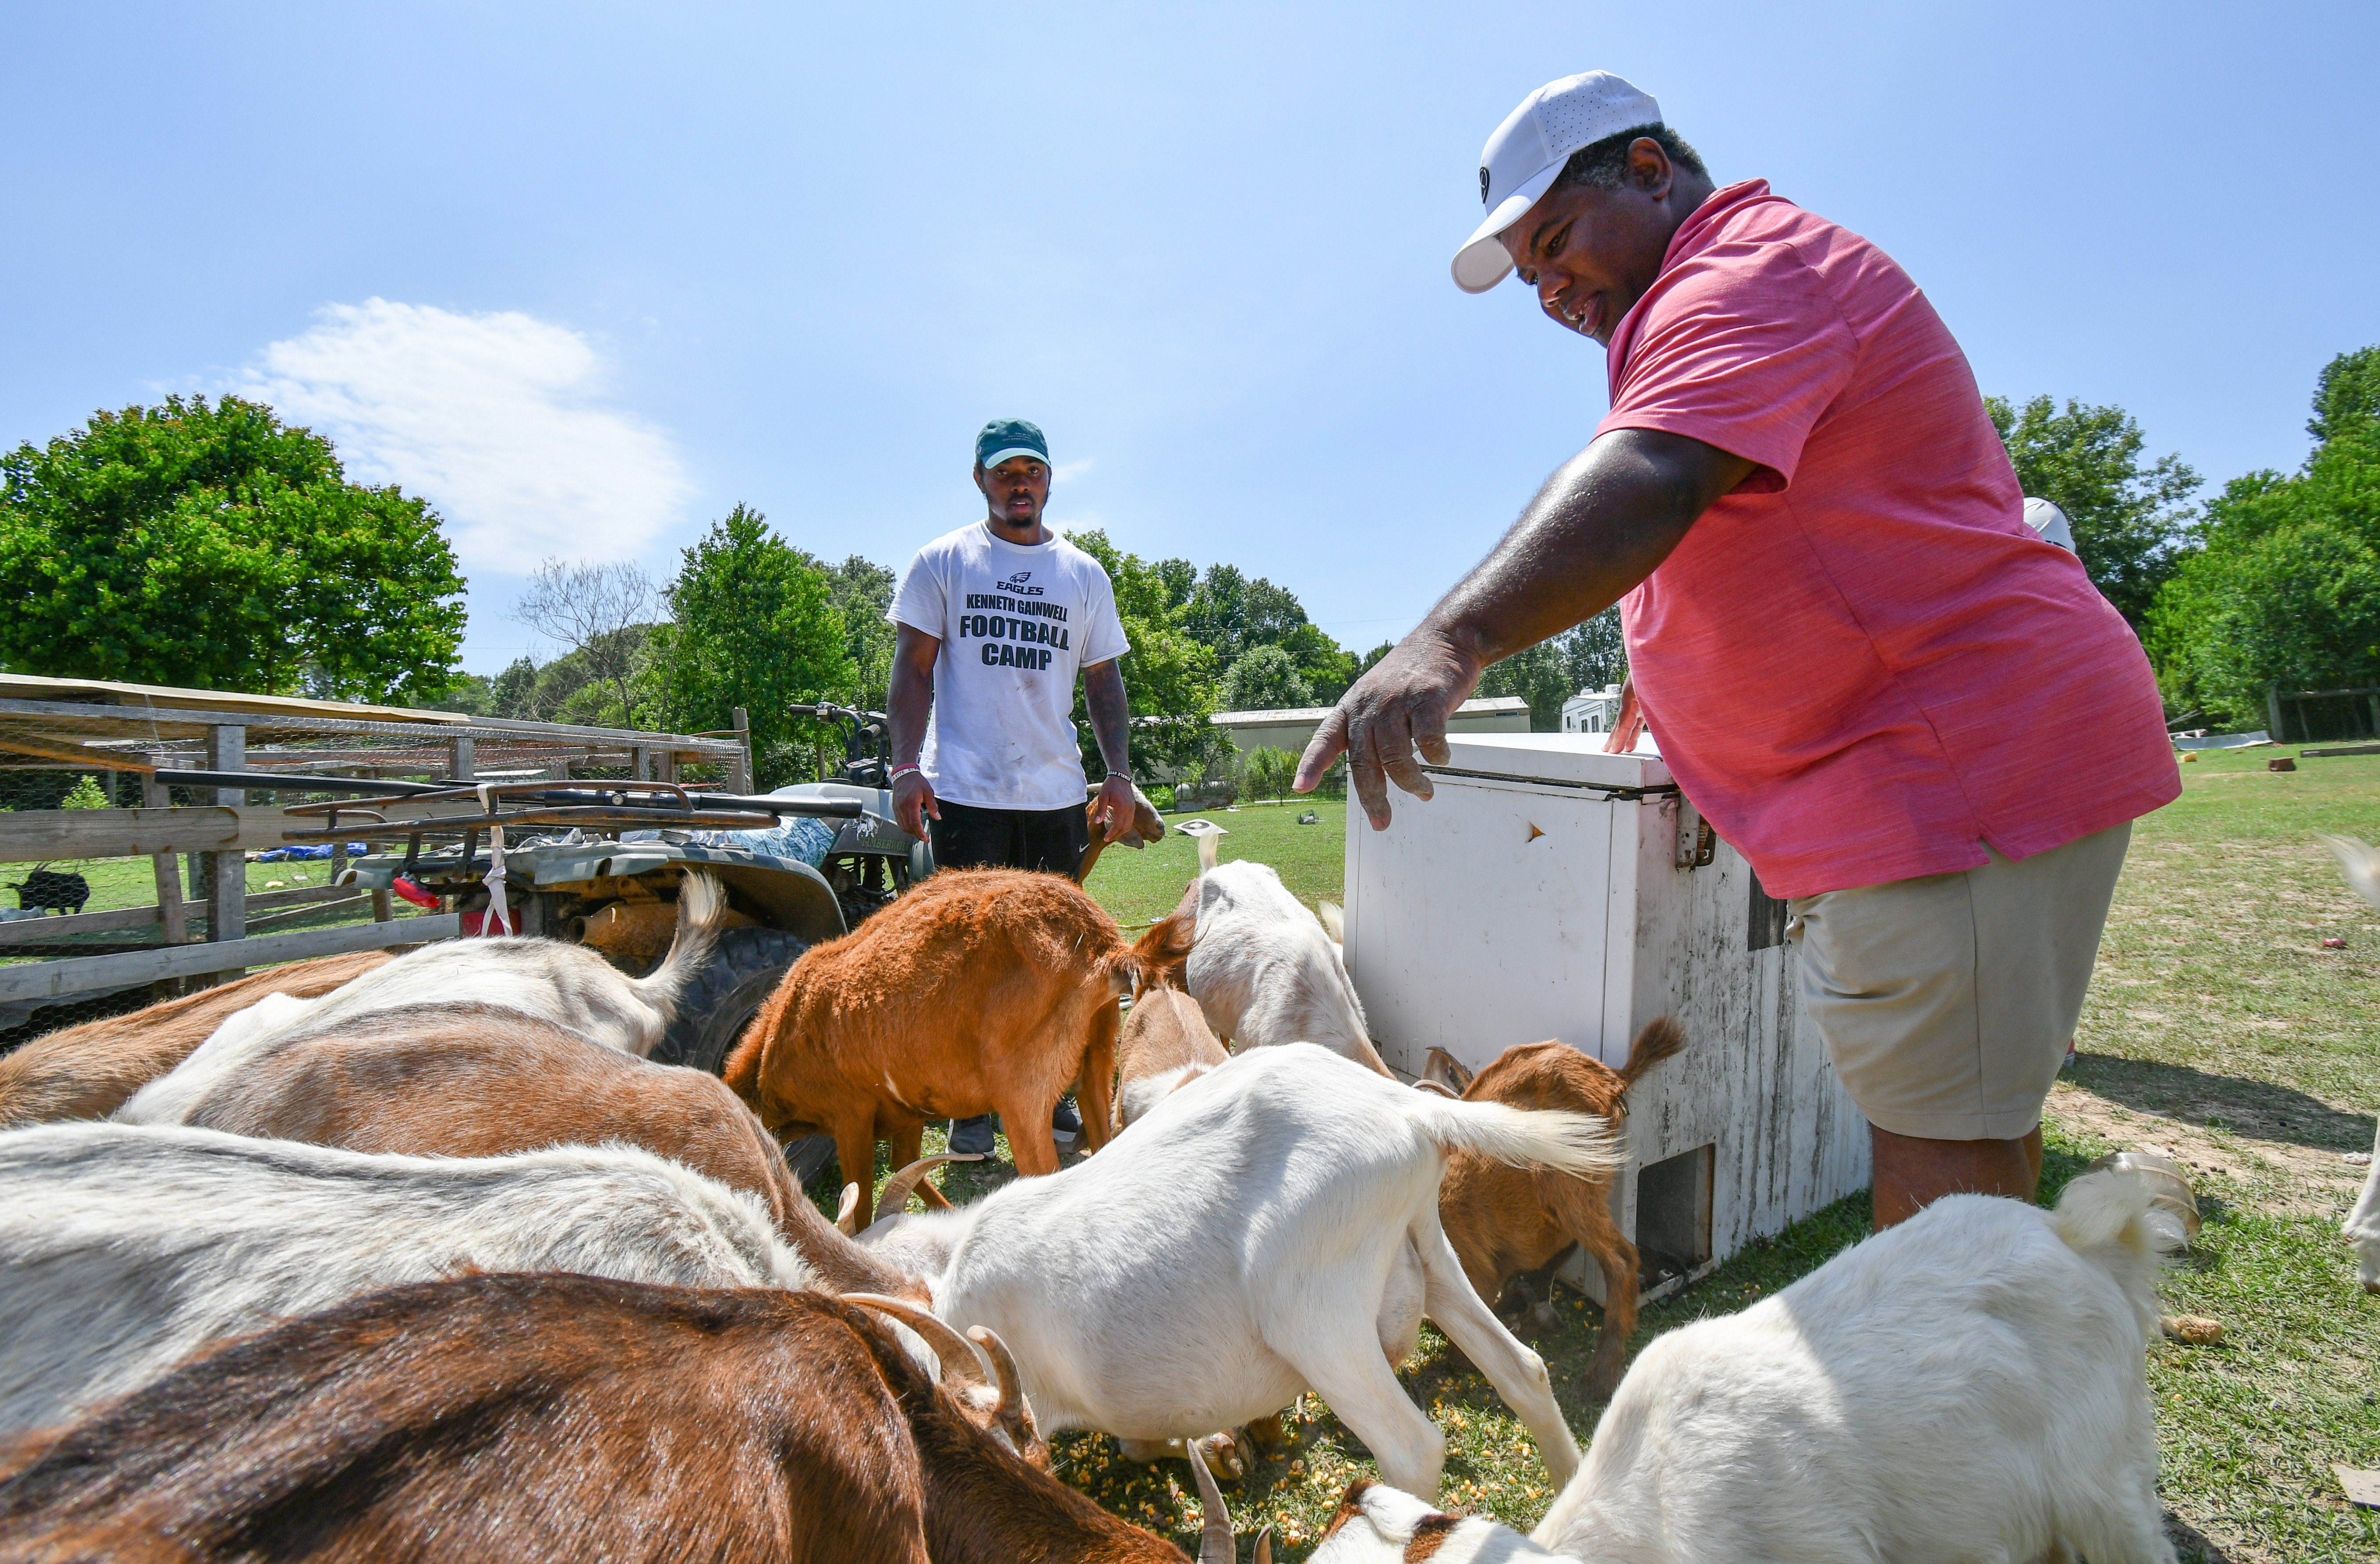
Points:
(1862, 665)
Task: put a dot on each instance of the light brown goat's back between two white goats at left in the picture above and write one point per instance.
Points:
(482, 1082)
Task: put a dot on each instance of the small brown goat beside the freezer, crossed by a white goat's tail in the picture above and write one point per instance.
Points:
(1508, 1220)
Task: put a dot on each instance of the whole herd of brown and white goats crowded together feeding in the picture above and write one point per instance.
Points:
(422, 1258)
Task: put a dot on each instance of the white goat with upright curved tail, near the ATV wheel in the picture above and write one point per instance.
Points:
(553, 982)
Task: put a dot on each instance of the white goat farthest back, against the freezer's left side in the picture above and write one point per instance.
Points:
(1267, 972)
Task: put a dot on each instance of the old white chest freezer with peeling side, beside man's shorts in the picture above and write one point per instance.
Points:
(1555, 892)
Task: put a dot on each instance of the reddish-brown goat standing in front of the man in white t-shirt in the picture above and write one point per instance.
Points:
(979, 991)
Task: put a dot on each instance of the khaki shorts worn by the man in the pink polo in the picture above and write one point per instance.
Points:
(1948, 1001)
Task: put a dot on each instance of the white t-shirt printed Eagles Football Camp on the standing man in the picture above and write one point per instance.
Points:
(1015, 627)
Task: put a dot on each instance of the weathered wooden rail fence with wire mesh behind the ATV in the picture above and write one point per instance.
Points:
(113, 856)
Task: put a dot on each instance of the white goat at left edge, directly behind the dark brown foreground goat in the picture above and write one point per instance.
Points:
(123, 1251)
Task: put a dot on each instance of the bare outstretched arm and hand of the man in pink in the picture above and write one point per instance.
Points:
(1598, 527)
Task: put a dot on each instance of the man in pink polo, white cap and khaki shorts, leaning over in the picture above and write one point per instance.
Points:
(1917, 720)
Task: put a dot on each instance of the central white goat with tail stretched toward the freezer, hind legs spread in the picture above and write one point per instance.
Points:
(1270, 1227)
